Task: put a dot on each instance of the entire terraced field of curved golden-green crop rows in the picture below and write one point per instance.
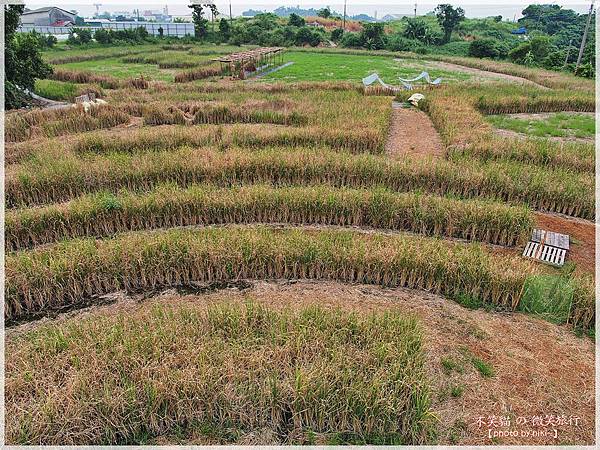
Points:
(140, 236)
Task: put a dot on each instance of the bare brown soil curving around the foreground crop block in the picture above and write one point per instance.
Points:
(540, 368)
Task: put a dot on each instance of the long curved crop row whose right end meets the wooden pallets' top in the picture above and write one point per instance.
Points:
(168, 206)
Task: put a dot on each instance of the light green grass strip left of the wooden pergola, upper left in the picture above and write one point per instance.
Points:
(117, 68)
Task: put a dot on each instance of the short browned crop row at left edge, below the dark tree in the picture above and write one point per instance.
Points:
(51, 123)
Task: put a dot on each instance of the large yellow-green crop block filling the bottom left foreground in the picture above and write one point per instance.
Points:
(275, 364)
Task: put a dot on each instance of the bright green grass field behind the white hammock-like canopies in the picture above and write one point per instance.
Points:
(324, 67)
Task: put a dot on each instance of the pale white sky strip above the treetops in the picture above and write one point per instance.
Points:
(473, 8)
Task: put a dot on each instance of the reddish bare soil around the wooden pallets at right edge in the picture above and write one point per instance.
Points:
(583, 238)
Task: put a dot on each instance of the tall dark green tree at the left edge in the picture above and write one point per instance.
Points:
(23, 61)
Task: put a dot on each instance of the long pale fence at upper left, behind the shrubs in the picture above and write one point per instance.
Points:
(169, 28)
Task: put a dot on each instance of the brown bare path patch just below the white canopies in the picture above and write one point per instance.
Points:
(412, 134)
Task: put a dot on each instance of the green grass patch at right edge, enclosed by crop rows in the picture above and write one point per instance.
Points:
(553, 125)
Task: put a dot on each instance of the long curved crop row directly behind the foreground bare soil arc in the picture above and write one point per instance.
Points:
(67, 273)
